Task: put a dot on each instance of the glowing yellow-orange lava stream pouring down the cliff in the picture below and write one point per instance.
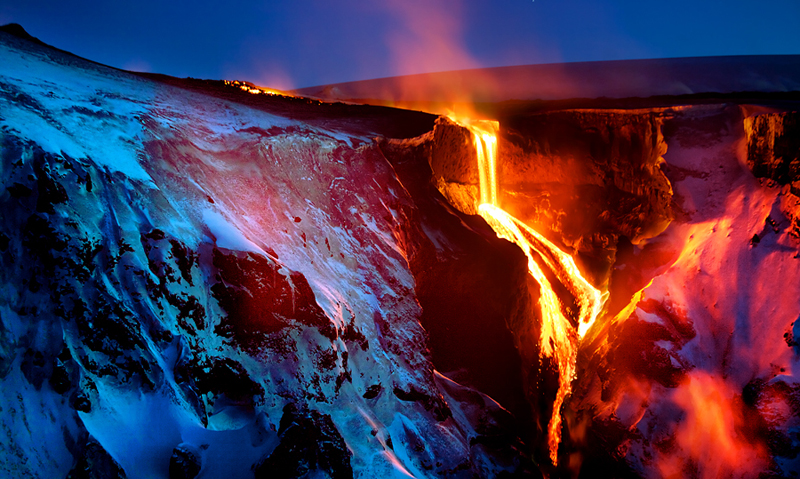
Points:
(559, 339)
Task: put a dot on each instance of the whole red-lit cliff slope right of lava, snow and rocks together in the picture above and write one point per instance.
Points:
(688, 362)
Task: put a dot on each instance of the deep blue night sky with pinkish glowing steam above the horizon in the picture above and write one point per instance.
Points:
(299, 43)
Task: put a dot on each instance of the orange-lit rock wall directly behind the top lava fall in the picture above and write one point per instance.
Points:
(583, 177)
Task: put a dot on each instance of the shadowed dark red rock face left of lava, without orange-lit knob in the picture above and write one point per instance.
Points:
(472, 337)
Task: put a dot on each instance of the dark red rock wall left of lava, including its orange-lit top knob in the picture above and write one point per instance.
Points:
(491, 340)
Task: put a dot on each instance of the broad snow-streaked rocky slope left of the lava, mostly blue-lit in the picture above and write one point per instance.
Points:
(194, 281)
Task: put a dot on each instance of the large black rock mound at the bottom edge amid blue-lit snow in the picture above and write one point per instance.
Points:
(309, 441)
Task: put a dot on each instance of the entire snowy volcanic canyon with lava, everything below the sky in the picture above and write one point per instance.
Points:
(210, 279)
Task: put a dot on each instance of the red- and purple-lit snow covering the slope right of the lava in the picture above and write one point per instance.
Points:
(739, 299)
